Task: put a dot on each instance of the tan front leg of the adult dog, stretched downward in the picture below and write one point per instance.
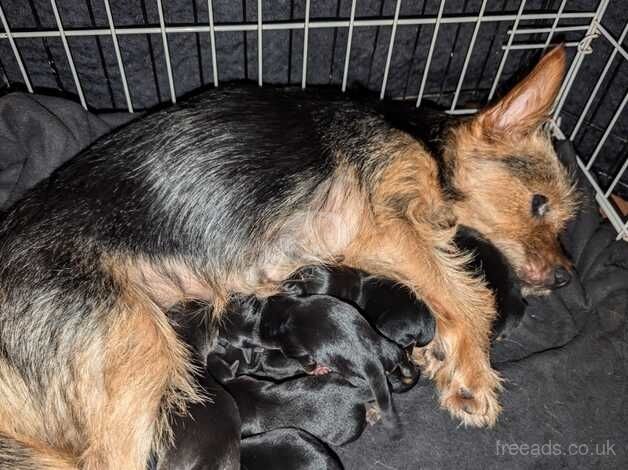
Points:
(457, 359)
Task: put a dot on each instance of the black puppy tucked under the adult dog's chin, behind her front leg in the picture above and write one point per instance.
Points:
(500, 277)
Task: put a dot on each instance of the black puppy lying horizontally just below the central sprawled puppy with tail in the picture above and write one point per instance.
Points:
(326, 406)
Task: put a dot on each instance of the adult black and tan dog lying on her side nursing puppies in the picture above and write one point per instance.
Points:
(232, 191)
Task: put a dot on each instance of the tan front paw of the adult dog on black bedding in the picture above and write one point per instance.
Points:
(473, 401)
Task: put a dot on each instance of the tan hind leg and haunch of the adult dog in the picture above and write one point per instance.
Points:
(107, 405)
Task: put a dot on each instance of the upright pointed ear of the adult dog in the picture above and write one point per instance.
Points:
(527, 106)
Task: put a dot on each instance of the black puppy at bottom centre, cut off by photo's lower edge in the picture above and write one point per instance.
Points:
(287, 449)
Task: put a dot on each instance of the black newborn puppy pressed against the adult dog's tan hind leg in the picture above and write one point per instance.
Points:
(208, 437)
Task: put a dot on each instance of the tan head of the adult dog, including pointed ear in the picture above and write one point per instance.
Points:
(513, 189)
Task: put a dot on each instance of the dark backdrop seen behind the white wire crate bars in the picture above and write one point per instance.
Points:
(145, 67)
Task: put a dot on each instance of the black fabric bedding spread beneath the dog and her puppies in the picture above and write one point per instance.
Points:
(566, 364)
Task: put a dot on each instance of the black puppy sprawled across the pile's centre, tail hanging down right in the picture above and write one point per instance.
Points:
(323, 334)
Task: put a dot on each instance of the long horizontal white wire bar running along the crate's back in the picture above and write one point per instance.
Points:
(294, 25)
